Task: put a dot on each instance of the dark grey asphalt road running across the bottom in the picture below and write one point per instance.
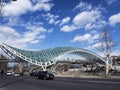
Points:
(30, 83)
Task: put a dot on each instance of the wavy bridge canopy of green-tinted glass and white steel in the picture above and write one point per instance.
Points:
(48, 57)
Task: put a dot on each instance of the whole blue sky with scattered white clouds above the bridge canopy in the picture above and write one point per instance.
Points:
(42, 24)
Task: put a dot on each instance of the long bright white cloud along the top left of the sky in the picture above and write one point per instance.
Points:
(22, 6)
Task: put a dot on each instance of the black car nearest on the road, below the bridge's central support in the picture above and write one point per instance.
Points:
(45, 75)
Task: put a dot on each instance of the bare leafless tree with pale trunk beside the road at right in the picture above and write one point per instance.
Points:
(106, 45)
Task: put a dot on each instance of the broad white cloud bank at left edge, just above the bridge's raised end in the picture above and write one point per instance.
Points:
(32, 33)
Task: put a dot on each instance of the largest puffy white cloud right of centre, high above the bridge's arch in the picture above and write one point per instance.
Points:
(85, 19)
